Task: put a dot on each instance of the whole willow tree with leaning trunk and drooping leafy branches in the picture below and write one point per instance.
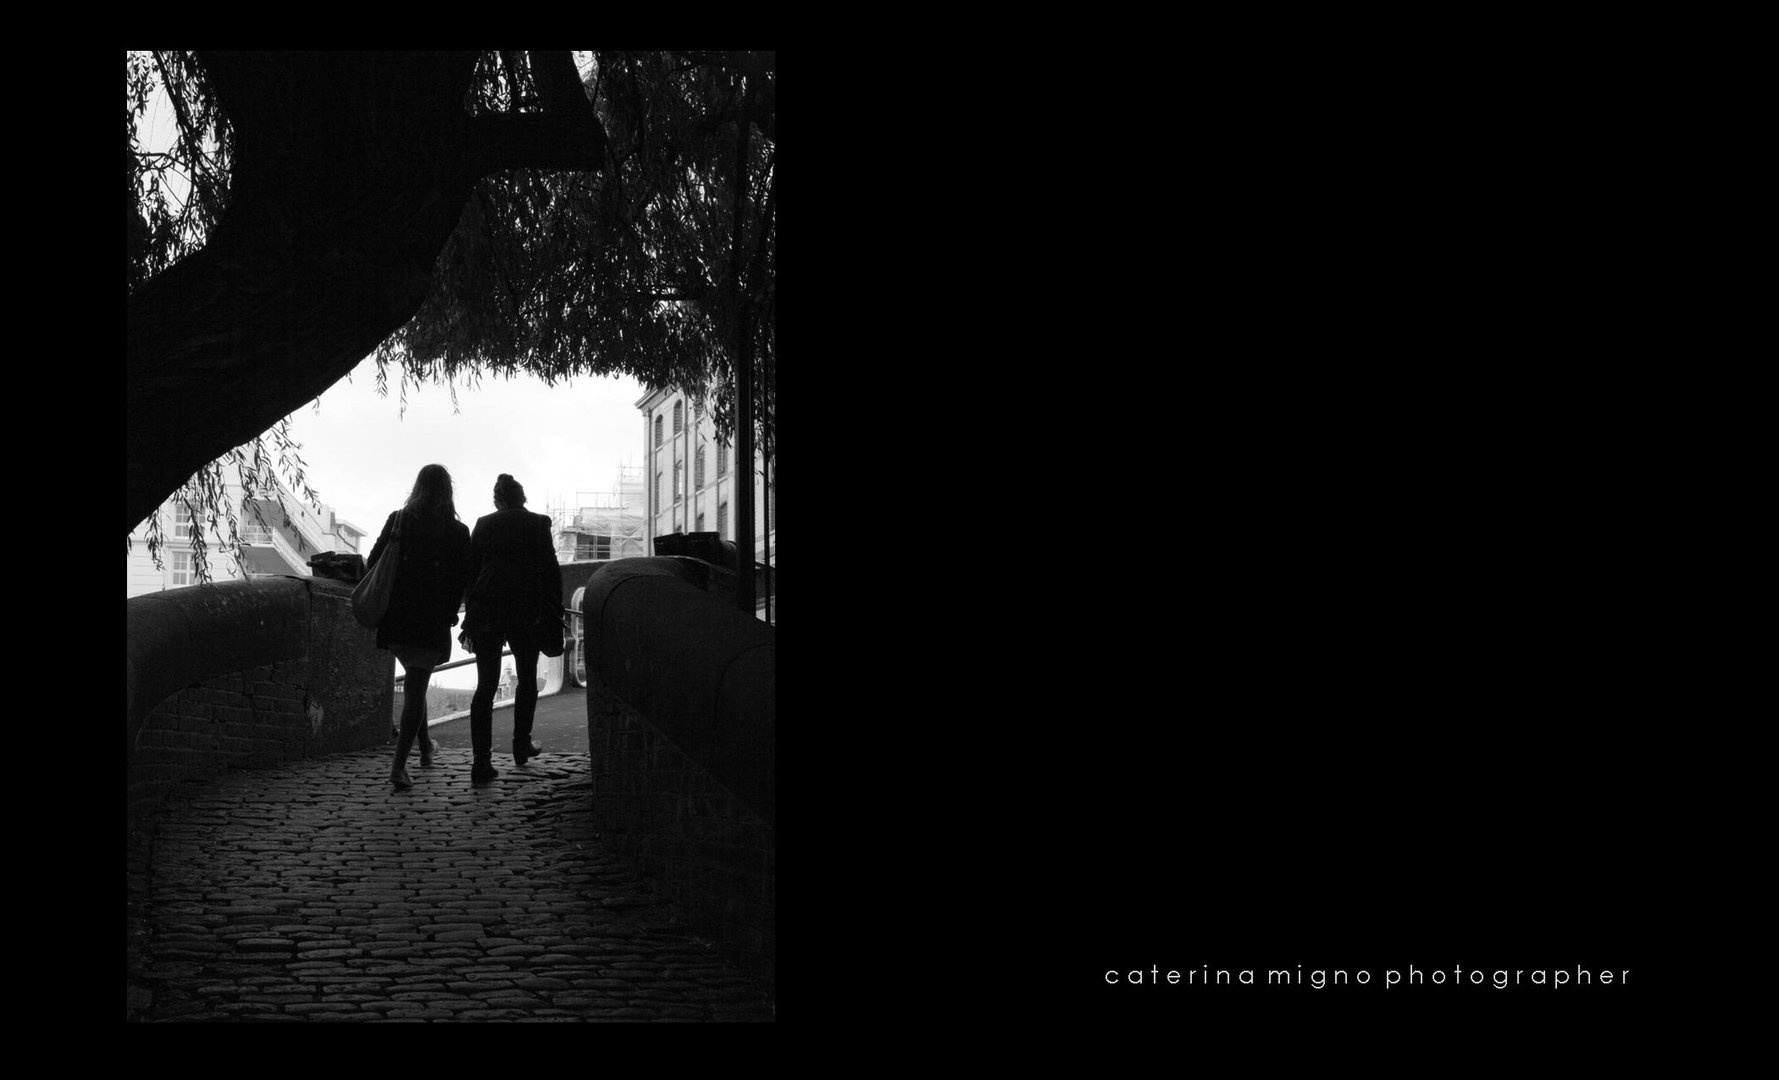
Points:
(453, 214)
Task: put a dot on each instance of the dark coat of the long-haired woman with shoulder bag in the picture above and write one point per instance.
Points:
(430, 584)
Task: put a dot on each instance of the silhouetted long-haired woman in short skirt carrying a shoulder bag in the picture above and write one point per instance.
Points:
(430, 584)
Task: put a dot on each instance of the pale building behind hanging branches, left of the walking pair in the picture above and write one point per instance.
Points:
(282, 545)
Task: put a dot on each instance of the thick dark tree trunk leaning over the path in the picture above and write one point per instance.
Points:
(350, 175)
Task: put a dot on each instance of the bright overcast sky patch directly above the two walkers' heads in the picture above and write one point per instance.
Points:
(362, 451)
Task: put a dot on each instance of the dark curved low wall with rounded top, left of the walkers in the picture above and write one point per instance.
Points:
(245, 675)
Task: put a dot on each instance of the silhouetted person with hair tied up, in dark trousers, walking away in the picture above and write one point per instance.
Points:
(515, 584)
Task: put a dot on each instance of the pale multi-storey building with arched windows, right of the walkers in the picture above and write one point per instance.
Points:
(693, 481)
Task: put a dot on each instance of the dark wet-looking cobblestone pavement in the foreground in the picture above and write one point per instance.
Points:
(319, 892)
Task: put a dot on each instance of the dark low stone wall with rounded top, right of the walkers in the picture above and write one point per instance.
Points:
(680, 721)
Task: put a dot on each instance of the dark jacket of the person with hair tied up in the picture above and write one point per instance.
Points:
(515, 577)
